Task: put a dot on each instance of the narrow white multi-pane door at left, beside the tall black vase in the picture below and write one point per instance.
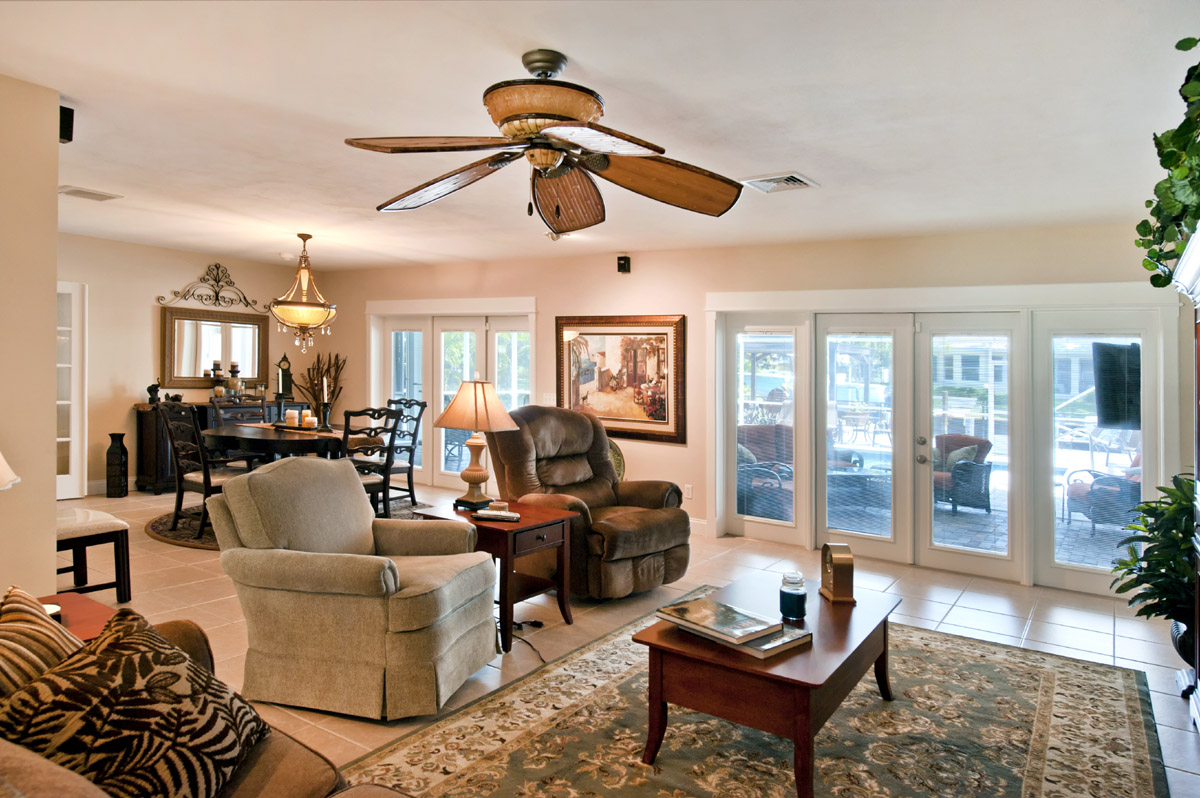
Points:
(71, 440)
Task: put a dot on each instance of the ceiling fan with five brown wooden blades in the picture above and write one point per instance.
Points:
(553, 124)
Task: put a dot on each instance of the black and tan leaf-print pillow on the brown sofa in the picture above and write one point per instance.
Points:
(135, 716)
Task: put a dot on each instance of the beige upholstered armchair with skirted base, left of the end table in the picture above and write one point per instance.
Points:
(347, 613)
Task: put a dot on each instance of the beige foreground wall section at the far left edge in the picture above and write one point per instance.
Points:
(29, 152)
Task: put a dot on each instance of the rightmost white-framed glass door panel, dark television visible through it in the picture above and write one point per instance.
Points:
(1096, 397)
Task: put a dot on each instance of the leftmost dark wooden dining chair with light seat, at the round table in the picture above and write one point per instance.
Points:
(197, 470)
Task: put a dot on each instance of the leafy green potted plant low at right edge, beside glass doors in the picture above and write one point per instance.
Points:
(1162, 557)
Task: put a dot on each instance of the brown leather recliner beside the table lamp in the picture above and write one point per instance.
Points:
(629, 537)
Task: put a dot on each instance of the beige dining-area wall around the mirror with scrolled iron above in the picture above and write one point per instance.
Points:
(124, 326)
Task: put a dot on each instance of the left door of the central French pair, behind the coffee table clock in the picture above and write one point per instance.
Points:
(863, 406)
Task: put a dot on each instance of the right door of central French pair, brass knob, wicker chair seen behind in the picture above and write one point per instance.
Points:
(969, 466)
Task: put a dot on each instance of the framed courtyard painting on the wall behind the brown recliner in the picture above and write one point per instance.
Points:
(627, 370)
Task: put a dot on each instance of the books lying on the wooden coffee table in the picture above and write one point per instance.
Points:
(741, 631)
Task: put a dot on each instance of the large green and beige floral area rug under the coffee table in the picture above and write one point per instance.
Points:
(970, 719)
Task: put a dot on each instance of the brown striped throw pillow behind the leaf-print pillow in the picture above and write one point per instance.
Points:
(31, 641)
